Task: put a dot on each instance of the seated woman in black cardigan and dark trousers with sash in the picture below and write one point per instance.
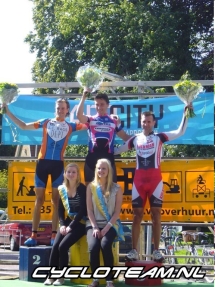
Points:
(72, 213)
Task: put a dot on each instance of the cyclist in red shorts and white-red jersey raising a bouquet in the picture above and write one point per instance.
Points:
(147, 179)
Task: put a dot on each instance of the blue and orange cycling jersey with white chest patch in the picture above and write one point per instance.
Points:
(55, 137)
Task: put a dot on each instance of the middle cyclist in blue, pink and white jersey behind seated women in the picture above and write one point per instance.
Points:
(102, 129)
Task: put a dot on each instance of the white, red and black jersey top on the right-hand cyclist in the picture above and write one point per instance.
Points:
(148, 148)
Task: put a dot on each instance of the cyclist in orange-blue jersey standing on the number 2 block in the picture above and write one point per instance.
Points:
(56, 133)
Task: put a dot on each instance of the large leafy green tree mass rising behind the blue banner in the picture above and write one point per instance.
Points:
(136, 39)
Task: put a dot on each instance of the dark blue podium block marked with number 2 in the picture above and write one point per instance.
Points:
(30, 258)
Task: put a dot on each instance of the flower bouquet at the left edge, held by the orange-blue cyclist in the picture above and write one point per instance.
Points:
(8, 92)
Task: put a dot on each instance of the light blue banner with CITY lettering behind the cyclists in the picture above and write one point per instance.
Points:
(168, 112)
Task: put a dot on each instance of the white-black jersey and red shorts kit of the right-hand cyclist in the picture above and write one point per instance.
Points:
(147, 178)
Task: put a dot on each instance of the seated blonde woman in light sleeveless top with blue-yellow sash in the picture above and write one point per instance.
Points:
(104, 200)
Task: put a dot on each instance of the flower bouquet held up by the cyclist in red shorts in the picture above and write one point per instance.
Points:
(187, 91)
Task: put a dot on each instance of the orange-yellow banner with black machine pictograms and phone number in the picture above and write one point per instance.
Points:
(188, 187)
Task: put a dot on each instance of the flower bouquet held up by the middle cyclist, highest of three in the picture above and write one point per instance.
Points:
(89, 77)
